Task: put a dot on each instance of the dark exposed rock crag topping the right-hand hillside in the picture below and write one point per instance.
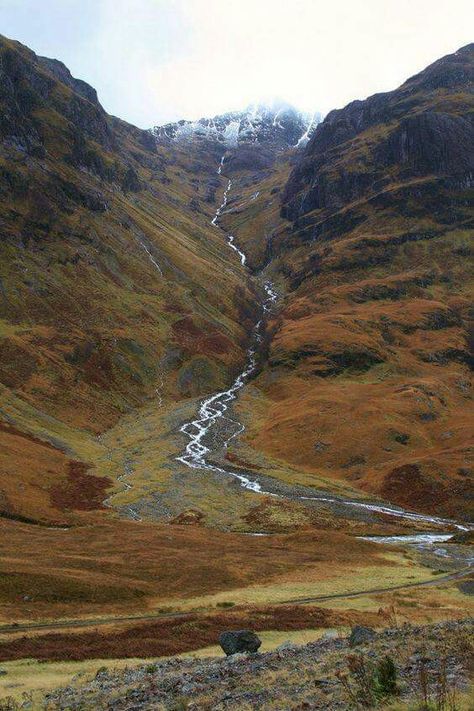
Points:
(413, 131)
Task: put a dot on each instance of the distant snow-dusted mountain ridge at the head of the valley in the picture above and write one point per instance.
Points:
(279, 123)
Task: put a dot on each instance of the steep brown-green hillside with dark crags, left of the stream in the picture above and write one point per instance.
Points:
(107, 256)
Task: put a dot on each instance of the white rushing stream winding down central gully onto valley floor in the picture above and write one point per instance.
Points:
(214, 408)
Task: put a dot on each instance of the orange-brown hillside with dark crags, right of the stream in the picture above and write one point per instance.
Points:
(368, 374)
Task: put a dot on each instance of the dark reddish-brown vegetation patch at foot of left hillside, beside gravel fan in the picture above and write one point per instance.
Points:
(81, 491)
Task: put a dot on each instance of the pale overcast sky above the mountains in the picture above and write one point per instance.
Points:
(154, 61)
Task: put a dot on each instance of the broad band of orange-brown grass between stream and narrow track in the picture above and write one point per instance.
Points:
(169, 563)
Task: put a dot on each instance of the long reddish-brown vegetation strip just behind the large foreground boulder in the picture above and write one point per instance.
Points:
(175, 635)
